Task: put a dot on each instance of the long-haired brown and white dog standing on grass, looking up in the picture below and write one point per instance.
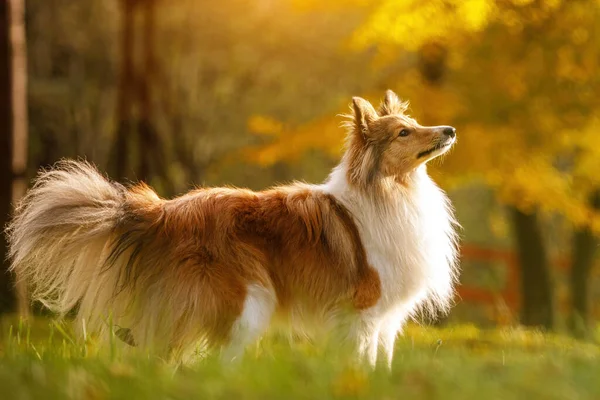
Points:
(360, 253)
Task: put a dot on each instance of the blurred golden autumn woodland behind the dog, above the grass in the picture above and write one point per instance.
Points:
(181, 93)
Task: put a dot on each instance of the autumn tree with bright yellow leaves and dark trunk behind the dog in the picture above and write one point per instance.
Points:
(520, 84)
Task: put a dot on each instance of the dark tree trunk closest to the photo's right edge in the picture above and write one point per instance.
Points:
(584, 249)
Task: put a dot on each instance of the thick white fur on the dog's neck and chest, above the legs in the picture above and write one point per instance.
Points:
(409, 237)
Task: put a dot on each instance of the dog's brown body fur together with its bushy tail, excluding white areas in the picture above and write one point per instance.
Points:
(200, 251)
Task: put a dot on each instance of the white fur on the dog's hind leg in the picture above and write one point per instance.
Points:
(259, 306)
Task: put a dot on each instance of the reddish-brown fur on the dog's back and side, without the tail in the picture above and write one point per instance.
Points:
(215, 242)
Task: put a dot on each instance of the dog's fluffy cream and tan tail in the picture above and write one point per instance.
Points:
(61, 238)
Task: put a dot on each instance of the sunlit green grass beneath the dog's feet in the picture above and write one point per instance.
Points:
(43, 361)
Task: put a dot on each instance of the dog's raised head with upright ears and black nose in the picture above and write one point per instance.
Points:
(387, 142)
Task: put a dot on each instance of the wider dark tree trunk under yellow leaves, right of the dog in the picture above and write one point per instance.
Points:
(537, 303)
